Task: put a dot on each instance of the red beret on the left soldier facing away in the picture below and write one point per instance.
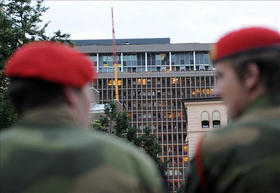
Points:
(50, 61)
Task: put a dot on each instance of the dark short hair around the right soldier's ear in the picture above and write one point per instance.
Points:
(268, 63)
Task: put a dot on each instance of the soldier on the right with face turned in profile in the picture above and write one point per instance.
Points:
(244, 156)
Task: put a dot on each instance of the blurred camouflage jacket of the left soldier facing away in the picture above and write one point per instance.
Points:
(47, 153)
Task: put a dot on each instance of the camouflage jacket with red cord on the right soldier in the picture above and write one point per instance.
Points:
(242, 157)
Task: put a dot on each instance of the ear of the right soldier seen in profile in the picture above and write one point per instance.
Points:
(252, 77)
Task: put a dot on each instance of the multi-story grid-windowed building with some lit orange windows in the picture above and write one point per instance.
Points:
(153, 78)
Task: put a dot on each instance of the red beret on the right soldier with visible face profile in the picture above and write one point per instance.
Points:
(243, 40)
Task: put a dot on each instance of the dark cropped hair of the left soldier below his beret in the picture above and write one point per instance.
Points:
(27, 94)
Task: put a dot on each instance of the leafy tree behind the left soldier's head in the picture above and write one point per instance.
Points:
(20, 23)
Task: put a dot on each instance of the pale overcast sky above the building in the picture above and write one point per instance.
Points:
(182, 21)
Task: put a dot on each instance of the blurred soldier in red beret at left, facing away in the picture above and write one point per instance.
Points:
(48, 150)
